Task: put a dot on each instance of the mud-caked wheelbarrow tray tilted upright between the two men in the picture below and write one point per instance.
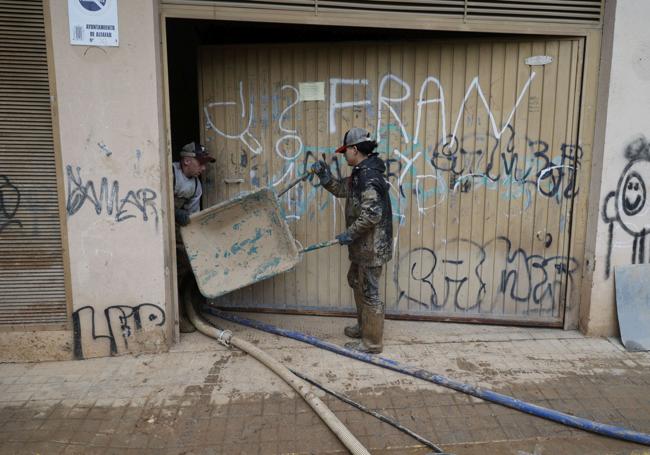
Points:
(239, 242)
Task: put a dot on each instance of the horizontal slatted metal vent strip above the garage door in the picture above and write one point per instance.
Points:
(579, 11)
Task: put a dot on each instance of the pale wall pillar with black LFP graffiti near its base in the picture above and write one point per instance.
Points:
(110, 123)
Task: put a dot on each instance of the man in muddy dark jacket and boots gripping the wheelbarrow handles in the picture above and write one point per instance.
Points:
(369, 233)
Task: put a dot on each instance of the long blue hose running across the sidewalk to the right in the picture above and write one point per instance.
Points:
(504, 400)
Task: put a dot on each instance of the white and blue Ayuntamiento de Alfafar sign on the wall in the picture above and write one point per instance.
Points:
(93, 22)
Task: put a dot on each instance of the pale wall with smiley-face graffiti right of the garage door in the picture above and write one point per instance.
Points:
(624, 114)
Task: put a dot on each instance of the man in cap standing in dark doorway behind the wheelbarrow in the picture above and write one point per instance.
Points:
(187, 199)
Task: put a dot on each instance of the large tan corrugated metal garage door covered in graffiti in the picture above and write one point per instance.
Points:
(481, 149)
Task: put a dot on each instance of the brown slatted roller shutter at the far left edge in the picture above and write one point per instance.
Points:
(32, 289)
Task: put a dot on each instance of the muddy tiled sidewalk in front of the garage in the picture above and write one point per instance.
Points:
(204, 398)
